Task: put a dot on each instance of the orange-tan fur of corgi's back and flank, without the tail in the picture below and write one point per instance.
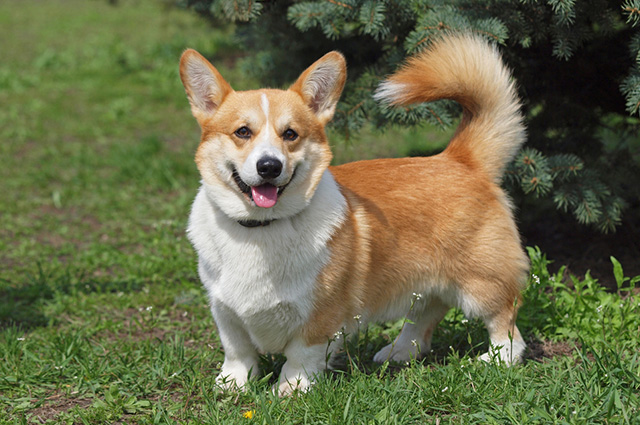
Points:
(432, 218)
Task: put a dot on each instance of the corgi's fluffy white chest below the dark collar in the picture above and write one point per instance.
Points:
(266, 276)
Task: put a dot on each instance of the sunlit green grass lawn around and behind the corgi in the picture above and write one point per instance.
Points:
(102, 316)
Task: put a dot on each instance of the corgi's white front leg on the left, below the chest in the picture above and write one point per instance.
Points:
(240, 355)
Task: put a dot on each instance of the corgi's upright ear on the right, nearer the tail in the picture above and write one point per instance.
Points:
(321, 84)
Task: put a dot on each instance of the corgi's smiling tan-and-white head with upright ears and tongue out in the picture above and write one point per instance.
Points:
(262, 152)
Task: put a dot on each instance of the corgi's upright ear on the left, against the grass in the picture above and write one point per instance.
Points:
(205, 86)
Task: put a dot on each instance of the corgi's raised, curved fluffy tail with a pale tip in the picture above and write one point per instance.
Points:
(469, 70)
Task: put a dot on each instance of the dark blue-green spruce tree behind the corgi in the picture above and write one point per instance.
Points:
(577, 63)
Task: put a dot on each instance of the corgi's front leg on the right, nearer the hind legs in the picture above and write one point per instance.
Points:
(303, 364)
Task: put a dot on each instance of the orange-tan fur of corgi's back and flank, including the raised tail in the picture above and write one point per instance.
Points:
(442, 219)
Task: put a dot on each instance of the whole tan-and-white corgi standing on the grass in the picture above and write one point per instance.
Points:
(292, 250)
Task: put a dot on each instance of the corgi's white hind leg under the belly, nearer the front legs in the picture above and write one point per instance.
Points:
(415, 338)
